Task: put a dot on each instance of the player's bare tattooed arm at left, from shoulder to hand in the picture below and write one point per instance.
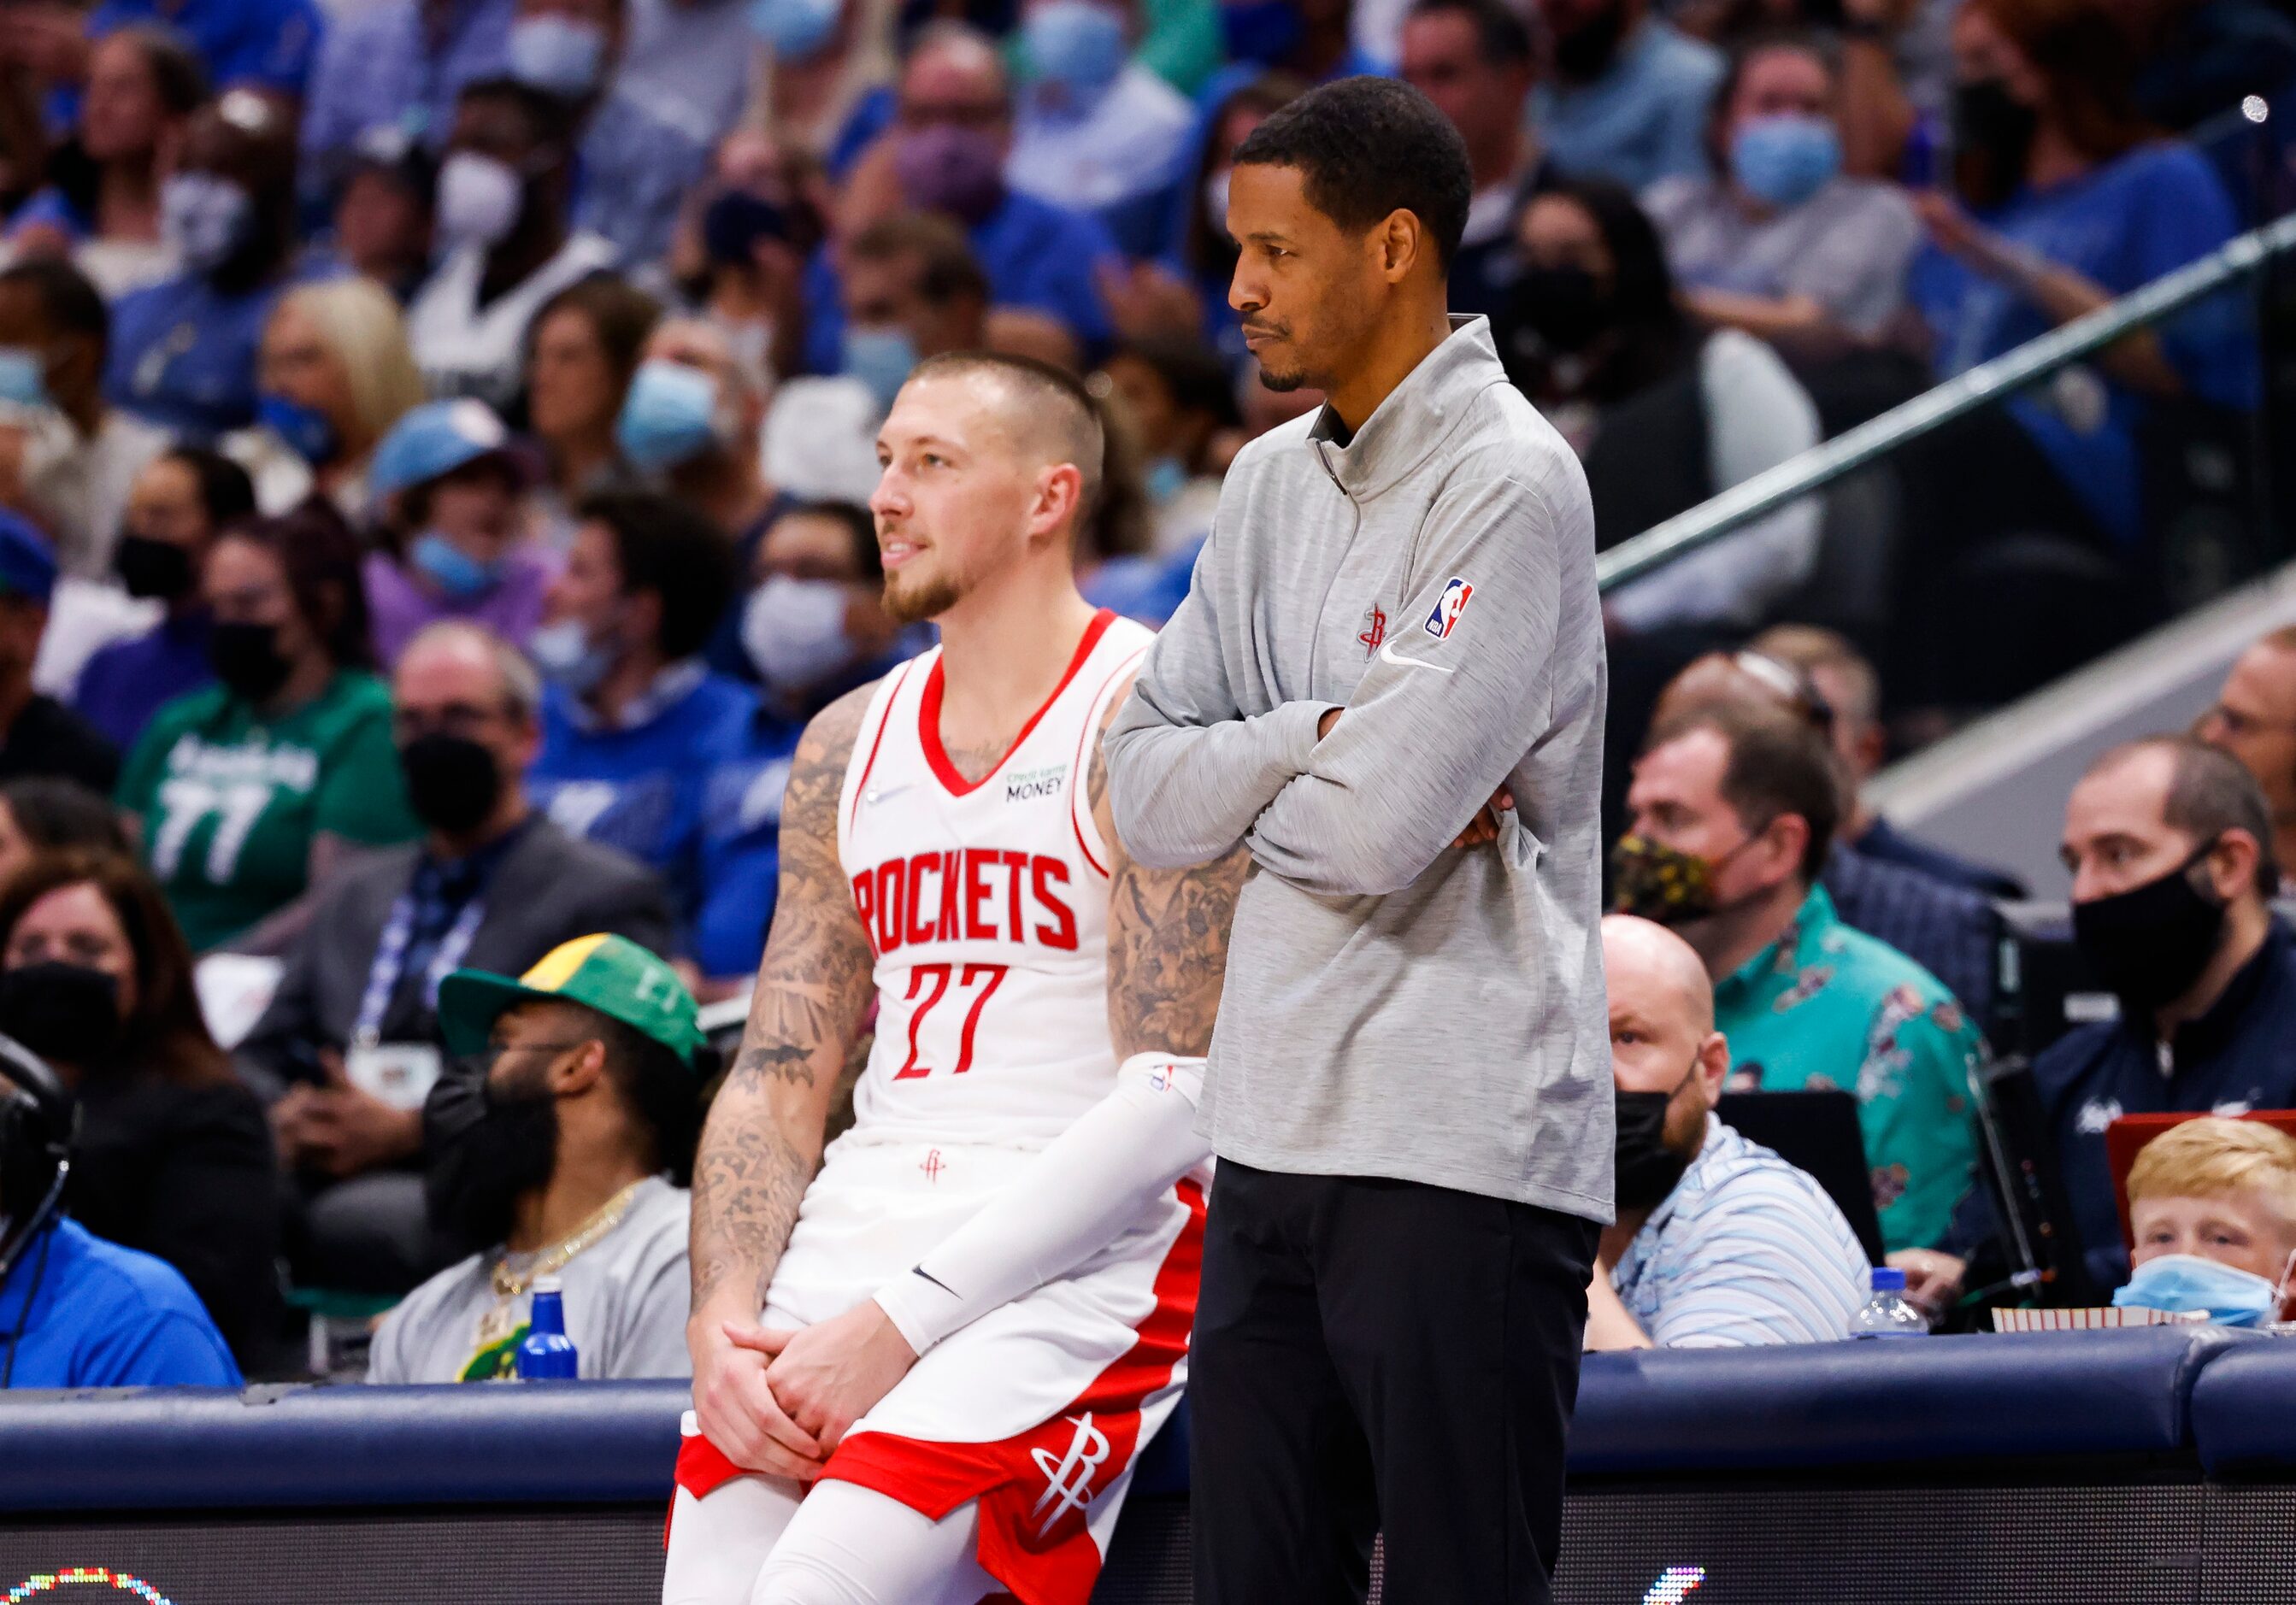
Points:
(766, 1124)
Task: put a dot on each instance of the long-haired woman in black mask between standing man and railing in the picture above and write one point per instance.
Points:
(1597, 339)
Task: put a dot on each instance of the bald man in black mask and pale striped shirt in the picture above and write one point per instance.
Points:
(1719, 1241)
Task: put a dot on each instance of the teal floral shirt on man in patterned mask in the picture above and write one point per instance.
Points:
(1829, 1007)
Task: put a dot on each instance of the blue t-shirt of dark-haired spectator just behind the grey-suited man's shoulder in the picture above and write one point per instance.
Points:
(642, 786)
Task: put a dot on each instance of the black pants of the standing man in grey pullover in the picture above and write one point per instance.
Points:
(1379, 1356)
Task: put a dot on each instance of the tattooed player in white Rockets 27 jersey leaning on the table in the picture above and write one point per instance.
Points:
(979, 1310)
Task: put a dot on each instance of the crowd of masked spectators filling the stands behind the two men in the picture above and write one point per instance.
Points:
(435, 449)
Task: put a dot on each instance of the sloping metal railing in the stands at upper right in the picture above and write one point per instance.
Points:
(1955, 398)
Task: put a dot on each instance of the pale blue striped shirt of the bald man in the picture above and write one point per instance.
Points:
(1746, 1250)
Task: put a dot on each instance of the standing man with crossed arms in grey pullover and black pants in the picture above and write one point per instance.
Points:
(1388, 683)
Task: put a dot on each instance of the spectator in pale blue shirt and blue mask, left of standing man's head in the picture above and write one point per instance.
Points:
(1094, 130)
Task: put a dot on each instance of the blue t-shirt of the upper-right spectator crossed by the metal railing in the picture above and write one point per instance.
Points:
(2123, 224)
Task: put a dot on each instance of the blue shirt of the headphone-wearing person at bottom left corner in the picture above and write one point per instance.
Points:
(95, 1315)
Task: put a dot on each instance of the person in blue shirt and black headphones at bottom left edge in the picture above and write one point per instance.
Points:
(77, 1310)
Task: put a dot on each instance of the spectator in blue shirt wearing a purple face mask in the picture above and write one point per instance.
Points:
(947, 155)
